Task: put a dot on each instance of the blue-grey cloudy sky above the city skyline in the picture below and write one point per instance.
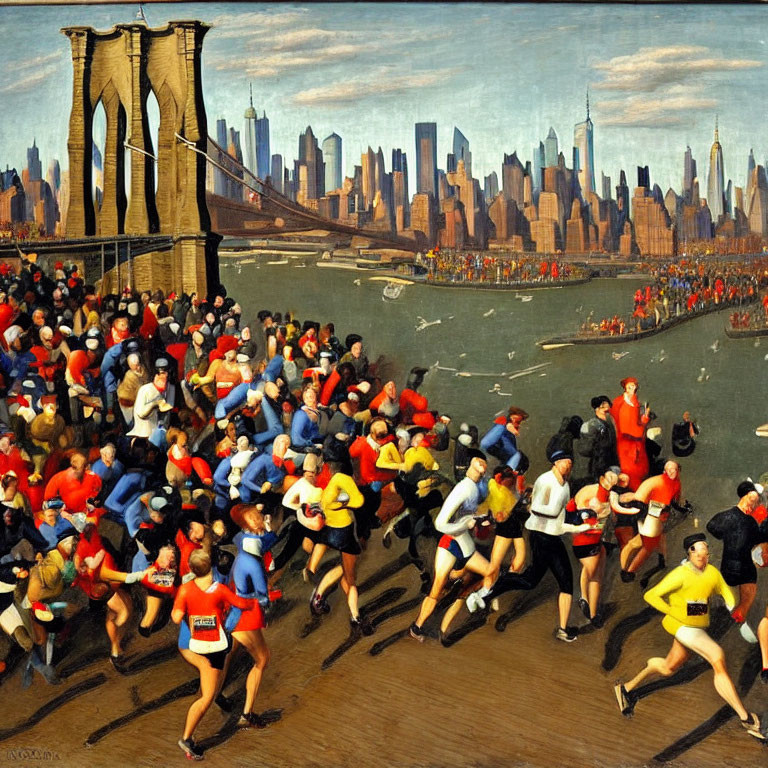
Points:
(658, 77)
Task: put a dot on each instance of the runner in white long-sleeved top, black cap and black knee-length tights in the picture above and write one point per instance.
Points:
(546, 524)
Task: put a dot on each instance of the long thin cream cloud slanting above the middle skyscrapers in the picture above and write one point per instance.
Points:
(376, 84)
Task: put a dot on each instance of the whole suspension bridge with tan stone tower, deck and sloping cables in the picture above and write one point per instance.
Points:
(157, 224)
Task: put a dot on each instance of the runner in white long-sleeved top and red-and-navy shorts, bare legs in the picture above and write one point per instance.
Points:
(456, 549)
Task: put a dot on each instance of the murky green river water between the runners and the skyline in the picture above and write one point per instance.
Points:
(728, 405)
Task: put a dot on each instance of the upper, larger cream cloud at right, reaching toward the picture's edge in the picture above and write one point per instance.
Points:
(652, 68)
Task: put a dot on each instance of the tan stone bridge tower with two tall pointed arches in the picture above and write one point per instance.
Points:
(119, 68)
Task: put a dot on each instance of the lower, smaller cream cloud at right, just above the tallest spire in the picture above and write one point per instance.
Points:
(670, 107)
